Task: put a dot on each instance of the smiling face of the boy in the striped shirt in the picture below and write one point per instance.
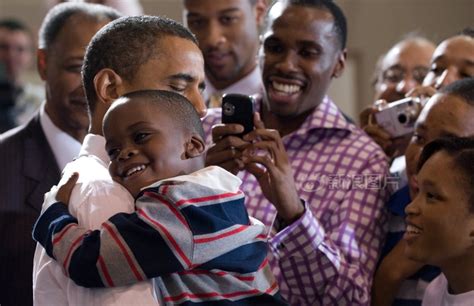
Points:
(143, 144)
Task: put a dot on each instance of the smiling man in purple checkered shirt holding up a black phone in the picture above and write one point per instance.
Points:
(320, 183)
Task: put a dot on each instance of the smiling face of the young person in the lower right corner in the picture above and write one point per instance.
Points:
(439, 223)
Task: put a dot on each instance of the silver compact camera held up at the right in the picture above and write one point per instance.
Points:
(398, 118)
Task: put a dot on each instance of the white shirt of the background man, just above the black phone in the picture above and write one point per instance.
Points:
(249, 85)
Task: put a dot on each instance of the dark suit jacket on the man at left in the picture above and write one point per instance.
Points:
(28, 170)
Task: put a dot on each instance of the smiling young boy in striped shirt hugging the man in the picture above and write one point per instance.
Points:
(190, 223)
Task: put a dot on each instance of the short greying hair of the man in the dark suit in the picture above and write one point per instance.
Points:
(60, 14)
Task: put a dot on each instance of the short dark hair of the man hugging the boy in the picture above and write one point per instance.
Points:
(124, 45)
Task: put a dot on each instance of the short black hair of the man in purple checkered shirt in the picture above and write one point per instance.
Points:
(340, 22)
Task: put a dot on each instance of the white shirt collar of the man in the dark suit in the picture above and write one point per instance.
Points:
(65, 148)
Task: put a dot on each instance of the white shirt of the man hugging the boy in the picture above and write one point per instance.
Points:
(95, 198)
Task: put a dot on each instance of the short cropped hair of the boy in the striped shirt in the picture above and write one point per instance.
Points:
(176, 106)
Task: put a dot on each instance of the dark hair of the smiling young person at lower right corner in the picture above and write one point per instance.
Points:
(461, 150)
